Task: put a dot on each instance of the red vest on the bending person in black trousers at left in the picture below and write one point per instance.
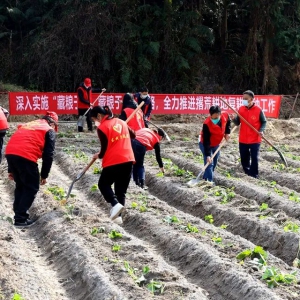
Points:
(29, 140)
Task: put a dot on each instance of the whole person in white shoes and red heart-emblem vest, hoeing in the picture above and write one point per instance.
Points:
(117, 158)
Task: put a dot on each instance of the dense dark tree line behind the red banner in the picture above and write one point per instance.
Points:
(170, 46)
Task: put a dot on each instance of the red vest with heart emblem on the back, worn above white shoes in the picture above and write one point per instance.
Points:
(119, 149)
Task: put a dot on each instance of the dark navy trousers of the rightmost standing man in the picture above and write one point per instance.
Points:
(249, 158)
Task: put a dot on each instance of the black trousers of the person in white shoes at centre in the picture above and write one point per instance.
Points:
(119, 175)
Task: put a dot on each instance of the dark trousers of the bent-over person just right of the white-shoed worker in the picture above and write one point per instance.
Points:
(139, 151)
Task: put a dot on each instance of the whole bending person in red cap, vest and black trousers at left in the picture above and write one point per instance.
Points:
(30, 142)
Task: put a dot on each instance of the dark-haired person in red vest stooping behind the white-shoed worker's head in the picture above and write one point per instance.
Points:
(128, 107)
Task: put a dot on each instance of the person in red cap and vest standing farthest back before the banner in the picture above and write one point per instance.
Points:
(84, 94)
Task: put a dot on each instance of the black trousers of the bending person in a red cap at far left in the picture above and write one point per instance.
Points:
(27, 179)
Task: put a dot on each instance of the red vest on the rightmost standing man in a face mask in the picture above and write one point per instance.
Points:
(247, 134)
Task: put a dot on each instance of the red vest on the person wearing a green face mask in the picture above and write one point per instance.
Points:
(216, 132)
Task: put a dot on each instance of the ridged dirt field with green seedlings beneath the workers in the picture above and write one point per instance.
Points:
(179, 242)
